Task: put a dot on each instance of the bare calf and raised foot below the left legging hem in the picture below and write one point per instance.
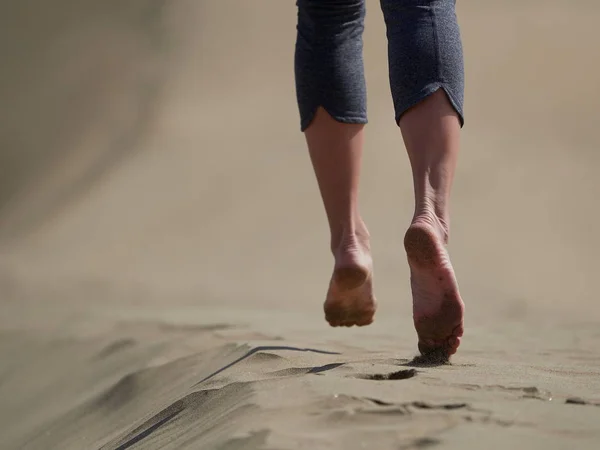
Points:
(336, 151)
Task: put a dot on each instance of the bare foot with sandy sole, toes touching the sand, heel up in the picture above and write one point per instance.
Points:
(437, 306)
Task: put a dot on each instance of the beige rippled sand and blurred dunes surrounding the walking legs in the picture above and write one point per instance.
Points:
(164, 252)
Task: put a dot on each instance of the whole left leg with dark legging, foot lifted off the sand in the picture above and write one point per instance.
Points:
(331, 94)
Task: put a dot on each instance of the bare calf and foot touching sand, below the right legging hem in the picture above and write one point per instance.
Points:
(431, 134)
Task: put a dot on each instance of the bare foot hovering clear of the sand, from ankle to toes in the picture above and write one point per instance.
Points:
(350, 299)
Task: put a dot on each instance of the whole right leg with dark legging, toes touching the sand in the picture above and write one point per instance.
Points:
(427, 83)
